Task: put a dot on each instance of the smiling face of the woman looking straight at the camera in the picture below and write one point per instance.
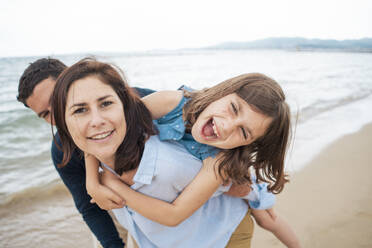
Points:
(95, 117)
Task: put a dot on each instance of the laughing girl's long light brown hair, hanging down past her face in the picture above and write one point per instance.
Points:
(266, 154)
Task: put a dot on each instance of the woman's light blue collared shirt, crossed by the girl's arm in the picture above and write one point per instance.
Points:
(166, 168)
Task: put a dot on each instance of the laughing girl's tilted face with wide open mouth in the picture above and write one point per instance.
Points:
(228, 123)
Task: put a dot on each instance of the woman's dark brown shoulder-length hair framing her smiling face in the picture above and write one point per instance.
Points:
(138, 118)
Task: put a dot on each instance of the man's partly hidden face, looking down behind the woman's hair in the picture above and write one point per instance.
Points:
(39, 101)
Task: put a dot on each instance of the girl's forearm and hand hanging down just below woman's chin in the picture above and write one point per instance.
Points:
(104, 197)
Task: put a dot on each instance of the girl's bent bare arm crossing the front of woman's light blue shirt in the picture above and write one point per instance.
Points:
(192, 198)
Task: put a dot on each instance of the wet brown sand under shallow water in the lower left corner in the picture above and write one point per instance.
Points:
(47, 220)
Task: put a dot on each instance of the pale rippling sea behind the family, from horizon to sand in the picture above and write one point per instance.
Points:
(329, 92)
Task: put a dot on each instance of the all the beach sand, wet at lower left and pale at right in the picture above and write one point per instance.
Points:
(329, 204)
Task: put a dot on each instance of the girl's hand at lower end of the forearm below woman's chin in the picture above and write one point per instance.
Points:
(106, 198)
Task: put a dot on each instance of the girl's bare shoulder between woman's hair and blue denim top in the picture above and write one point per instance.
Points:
(162, 102)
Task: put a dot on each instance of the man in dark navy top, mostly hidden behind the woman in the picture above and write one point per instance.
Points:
(34, 91)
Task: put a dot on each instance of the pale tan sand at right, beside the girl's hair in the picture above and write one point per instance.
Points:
(328, 202)
